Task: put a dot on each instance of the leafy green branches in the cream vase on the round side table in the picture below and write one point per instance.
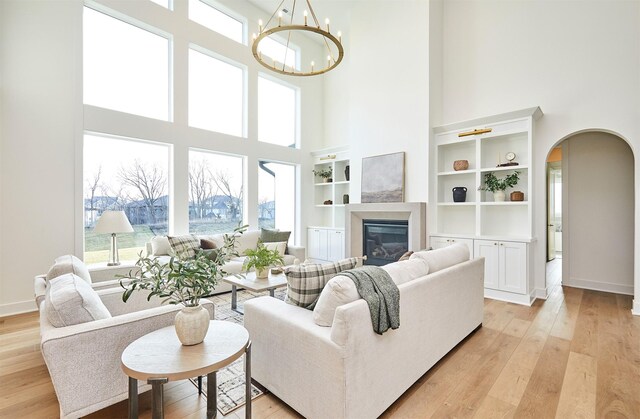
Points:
(181, 280)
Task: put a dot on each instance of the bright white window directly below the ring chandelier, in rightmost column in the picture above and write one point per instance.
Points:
(277, 112)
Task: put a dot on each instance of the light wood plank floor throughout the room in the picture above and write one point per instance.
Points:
(576, 354)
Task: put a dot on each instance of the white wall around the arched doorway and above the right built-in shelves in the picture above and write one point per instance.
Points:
(578, 61)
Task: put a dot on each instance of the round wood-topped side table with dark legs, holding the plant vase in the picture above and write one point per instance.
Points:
(159, 357)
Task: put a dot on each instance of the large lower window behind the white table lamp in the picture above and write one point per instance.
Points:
(128, 175)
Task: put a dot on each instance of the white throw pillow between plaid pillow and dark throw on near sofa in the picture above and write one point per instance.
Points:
(339, 290)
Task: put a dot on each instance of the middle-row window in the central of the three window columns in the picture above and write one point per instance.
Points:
(216, 94)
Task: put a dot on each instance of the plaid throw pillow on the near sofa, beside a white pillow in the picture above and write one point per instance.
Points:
(305, 282)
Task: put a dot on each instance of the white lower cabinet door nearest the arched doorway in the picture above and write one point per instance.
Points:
(513, 267)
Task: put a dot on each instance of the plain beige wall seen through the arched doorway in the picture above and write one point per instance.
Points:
(598, 177)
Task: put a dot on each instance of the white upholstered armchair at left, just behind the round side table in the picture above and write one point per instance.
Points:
(84, 359)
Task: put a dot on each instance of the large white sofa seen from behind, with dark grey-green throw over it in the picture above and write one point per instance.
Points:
(347, 370)
